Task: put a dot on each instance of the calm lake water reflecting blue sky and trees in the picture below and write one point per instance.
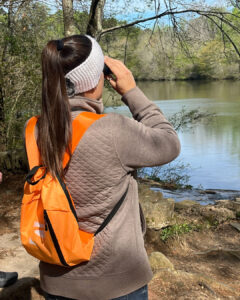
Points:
(212, 149)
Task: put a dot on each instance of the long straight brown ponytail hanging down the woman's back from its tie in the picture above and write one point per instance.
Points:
(55, 127)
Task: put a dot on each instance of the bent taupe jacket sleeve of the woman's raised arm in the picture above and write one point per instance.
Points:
(148, 139)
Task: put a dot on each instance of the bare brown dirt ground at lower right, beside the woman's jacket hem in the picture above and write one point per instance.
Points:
(207, 266)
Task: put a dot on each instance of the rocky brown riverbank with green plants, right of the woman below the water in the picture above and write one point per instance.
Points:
(201, 248)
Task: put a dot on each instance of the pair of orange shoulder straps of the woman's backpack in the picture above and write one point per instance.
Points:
(79, 125)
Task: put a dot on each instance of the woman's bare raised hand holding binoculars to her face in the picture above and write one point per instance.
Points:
(124, 80)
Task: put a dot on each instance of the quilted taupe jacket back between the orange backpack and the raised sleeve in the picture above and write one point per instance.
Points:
(92, 181)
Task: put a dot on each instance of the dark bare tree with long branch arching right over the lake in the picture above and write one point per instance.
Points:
(174, 10)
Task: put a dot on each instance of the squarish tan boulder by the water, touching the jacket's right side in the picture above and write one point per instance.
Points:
(158, 211)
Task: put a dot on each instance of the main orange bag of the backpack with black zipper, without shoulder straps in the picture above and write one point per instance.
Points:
(76, 245)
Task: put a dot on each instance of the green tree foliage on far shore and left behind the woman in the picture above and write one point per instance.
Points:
(157, 54)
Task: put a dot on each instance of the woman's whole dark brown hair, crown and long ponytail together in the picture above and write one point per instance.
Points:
(55, 125)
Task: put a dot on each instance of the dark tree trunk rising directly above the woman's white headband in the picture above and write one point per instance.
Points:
(94, 27)
